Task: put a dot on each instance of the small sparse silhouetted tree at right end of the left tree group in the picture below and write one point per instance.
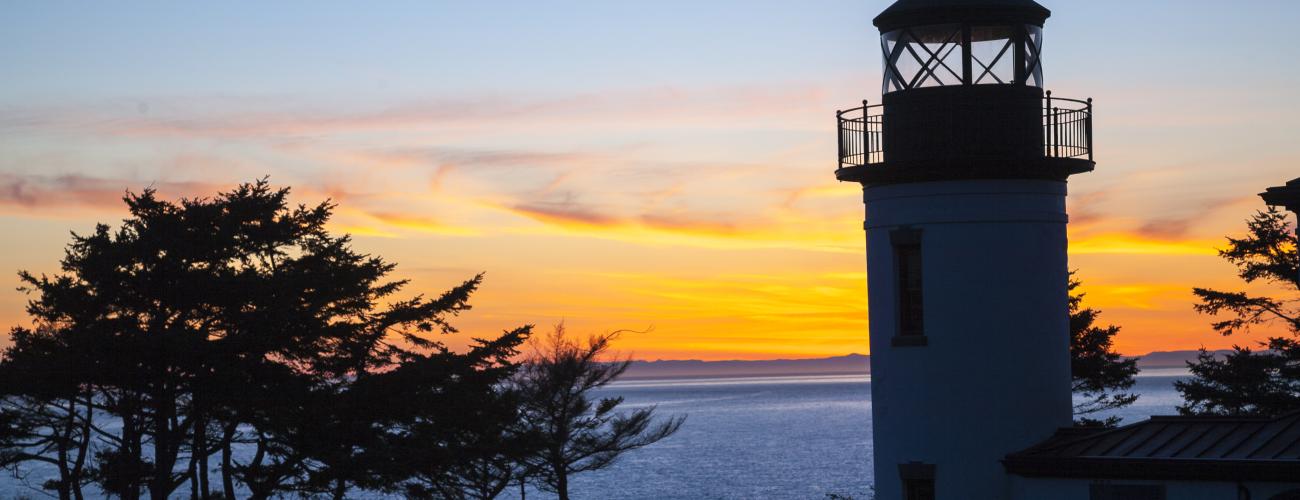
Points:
(579, 434)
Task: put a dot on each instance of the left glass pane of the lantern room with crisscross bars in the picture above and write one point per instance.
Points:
(924, 56)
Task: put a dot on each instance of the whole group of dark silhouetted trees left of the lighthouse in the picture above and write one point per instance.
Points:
(232, 347)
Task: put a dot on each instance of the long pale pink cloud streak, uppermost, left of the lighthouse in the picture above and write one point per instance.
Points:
(258, 119)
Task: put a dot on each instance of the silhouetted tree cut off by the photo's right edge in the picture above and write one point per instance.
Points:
(1249, 382)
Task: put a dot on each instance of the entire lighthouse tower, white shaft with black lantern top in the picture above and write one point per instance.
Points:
(964, 167)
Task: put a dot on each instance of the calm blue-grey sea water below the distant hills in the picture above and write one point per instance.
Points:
(746, 438)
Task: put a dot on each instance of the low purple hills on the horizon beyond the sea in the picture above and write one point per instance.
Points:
(851, 364)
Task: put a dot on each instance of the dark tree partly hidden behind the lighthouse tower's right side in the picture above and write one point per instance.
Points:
(1100, 375)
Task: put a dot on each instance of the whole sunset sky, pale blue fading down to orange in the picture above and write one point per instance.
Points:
(660, 167)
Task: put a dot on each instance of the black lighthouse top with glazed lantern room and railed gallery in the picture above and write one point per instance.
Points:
(964, 98)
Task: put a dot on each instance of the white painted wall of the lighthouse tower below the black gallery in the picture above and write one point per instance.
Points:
(995, 377)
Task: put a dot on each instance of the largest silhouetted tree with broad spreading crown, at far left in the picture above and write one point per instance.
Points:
(211, 324)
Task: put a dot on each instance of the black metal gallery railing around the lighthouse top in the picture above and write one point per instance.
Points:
(1067, 132)
